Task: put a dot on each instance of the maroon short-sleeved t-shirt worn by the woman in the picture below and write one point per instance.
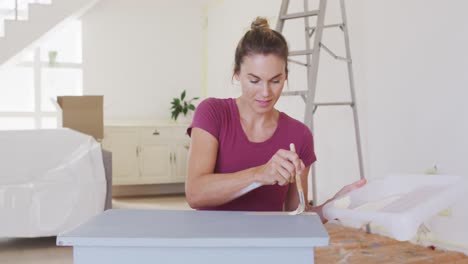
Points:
(220, 118)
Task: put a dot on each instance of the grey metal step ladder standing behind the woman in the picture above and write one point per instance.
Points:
(312, 55)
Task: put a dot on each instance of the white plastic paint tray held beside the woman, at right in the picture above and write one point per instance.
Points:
(398, 205)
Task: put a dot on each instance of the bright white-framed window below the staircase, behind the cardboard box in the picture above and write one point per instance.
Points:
(52, 68)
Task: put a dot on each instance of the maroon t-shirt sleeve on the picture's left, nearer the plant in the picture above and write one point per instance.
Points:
(207, 118)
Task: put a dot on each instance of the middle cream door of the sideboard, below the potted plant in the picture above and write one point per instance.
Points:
(155, 163)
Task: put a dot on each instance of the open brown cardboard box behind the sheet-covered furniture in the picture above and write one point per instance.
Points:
(83, 113)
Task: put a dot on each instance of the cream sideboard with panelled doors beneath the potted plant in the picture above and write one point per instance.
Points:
(145, 153)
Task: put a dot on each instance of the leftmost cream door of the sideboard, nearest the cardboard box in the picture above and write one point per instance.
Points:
(123, 143)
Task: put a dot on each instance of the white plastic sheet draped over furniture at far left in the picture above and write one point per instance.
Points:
(50, 181)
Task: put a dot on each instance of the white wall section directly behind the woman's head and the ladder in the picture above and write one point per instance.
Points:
(228, 20)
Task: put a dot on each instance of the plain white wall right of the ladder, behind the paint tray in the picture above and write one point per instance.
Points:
(416, 68)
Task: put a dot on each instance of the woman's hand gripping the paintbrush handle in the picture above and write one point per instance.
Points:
(280, 169)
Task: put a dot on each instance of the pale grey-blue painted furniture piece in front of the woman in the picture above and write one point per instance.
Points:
(162, 236)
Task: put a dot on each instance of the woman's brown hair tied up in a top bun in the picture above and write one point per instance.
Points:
(261, 39)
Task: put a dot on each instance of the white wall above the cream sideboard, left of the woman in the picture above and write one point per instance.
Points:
(141, 54)
